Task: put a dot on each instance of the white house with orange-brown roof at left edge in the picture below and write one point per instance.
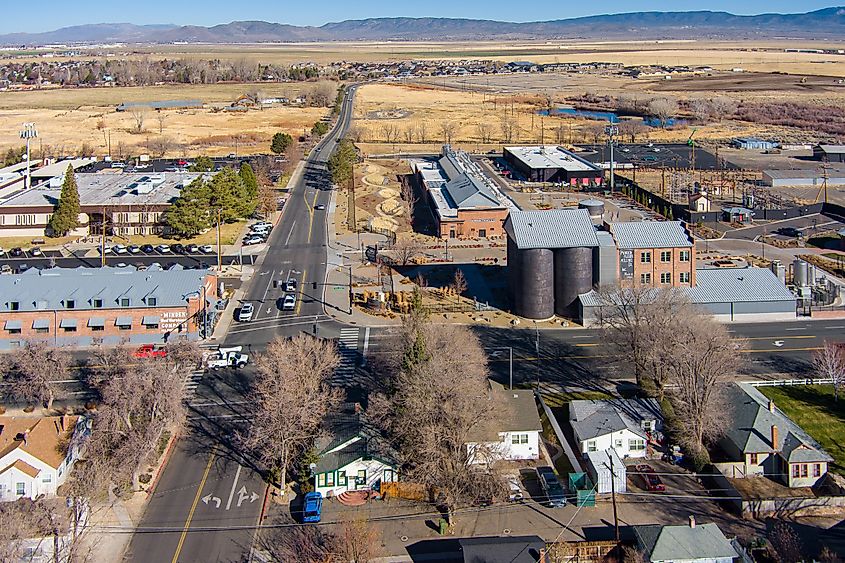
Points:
(37, 454)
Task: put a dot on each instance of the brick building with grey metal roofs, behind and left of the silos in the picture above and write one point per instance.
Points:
(466, 203)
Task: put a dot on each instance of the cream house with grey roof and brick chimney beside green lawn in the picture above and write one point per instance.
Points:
(761, 441)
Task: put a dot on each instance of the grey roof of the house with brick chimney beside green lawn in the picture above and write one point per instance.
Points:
(750, 427)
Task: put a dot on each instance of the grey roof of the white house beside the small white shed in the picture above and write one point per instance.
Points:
(592, 418)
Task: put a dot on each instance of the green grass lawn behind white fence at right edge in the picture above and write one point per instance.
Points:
(812, 407)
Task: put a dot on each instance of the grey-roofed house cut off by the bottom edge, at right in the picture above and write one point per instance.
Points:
(702, 543)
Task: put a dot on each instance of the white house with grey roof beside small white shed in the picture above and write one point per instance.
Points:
(625, 425)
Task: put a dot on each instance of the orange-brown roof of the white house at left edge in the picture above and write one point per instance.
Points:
(43, 436)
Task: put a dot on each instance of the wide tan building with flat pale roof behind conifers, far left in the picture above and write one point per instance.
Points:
(129, 204)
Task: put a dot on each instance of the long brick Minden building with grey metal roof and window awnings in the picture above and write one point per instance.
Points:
(77, 307)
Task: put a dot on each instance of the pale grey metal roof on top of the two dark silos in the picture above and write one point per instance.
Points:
(558, 228)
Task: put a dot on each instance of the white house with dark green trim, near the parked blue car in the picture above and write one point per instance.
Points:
(353, 456)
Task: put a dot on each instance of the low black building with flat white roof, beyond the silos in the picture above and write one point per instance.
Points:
(550, 163)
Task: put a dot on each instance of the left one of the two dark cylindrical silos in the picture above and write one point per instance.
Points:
(535, 294)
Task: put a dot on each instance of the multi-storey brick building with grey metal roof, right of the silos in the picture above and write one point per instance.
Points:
(655, 253)
